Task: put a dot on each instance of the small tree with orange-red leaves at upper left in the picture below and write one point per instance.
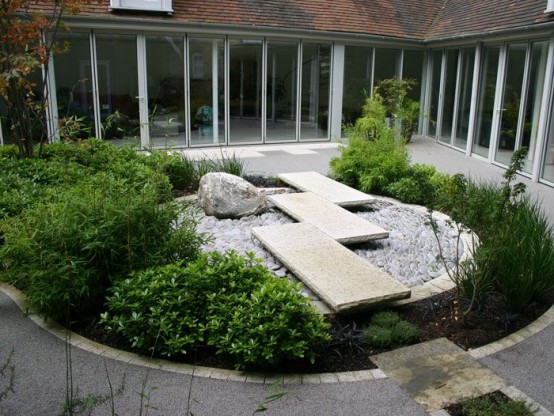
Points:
(27, 42)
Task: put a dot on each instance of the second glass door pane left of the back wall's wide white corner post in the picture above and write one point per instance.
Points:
(281, 87)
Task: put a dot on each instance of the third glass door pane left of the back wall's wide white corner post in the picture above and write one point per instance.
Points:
(245, 90)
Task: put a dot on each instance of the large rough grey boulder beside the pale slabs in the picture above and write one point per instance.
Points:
(228, 196)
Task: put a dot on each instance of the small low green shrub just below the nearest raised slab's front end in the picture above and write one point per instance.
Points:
(387, 329)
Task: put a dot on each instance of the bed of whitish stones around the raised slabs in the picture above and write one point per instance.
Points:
(409, 254)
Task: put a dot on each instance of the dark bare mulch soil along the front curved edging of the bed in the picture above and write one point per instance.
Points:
(436, 317)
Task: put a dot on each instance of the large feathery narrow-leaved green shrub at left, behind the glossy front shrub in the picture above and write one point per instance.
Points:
(67, 252)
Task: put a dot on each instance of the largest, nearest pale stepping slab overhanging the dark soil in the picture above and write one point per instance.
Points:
(343, 280)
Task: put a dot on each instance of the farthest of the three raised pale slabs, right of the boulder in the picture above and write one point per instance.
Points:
(327, 188)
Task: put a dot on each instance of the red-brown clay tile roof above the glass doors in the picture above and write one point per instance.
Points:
(404, 19)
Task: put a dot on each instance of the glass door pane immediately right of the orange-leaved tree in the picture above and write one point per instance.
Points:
(73, 74)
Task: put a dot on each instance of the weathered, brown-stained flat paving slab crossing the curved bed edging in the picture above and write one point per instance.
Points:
(438, 373)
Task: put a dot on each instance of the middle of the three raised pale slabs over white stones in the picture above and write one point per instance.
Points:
(338, 223)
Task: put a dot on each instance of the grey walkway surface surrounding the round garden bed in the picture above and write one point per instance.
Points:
(40, 359)
